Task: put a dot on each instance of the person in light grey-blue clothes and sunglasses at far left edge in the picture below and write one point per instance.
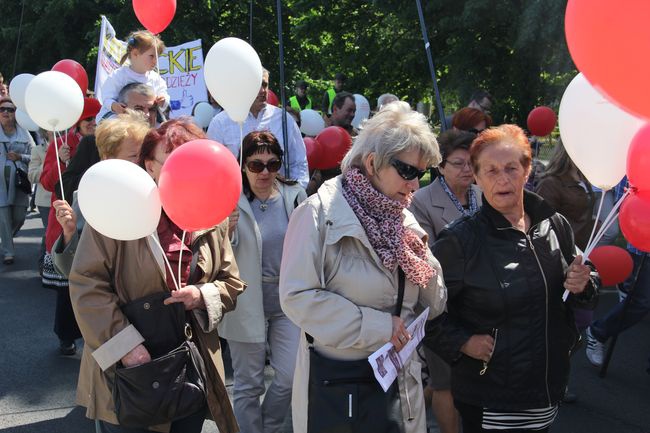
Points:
(15, 152)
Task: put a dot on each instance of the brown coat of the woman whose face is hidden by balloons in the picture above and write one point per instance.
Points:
(107, 273)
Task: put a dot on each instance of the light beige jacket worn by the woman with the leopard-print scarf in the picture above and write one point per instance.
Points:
(326, 246)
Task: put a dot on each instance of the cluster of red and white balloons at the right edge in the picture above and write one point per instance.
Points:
(604, 110)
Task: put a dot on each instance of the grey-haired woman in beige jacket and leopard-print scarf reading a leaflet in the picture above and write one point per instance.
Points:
(355, 272)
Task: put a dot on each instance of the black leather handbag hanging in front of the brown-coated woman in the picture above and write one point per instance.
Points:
(173, 385)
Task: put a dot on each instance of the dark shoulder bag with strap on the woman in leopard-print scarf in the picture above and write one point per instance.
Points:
(345, 397)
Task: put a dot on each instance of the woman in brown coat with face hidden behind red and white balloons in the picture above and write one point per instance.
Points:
(106, 274)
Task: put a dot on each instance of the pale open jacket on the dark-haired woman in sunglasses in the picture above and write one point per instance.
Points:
(247, 322)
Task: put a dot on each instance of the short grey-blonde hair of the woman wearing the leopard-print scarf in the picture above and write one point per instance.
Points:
(393, 130)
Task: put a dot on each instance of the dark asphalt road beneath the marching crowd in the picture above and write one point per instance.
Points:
(37, 384)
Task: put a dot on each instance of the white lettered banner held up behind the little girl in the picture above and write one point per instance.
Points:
(181, 66)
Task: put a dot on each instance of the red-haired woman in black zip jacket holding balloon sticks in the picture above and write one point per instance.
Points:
(508, 333)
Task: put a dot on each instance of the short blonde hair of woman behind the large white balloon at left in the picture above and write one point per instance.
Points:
(110, 133)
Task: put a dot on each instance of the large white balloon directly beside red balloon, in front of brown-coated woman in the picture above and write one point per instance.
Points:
(120, 200)
